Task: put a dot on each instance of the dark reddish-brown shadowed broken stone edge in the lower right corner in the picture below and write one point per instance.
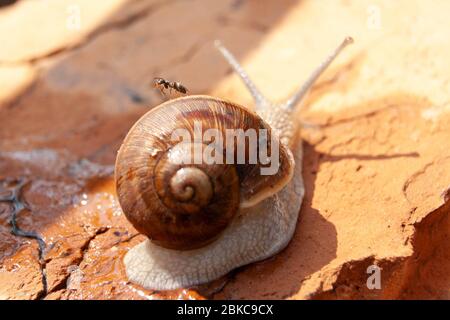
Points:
(403, 271)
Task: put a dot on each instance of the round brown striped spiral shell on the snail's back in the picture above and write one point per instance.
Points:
(186, 205)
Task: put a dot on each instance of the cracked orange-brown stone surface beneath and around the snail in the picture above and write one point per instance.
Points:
(377, 155)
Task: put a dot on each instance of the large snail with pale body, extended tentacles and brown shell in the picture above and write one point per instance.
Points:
(201, 219)
